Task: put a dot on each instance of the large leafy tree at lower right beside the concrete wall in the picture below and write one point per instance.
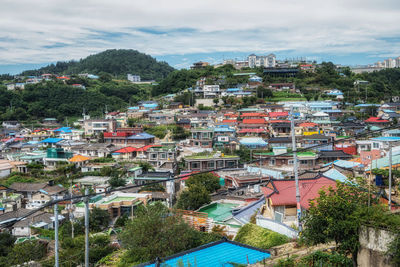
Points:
(336, 215)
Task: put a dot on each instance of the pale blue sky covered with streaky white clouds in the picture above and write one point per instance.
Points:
(350, 32)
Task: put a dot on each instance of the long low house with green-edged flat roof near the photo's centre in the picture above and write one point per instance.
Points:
(209, 162)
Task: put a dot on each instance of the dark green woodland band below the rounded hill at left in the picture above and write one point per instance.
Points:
(55, 99)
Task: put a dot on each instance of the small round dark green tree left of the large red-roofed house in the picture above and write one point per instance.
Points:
(193, 198)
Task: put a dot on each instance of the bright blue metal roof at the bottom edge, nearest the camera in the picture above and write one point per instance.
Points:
(219, 253)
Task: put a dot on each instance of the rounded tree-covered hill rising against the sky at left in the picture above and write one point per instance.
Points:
(117, 62)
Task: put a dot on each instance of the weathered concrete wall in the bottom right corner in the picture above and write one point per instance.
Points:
(373, 245)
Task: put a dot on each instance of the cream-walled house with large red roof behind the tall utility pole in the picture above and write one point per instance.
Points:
(280, 197)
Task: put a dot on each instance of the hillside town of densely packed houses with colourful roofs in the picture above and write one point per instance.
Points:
(223, 158)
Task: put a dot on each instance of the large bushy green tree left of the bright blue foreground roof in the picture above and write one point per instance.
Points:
(156, 232)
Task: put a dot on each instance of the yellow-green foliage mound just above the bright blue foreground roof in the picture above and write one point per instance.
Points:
(257, 236)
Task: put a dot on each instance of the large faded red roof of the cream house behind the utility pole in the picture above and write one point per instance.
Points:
(286, 191)
